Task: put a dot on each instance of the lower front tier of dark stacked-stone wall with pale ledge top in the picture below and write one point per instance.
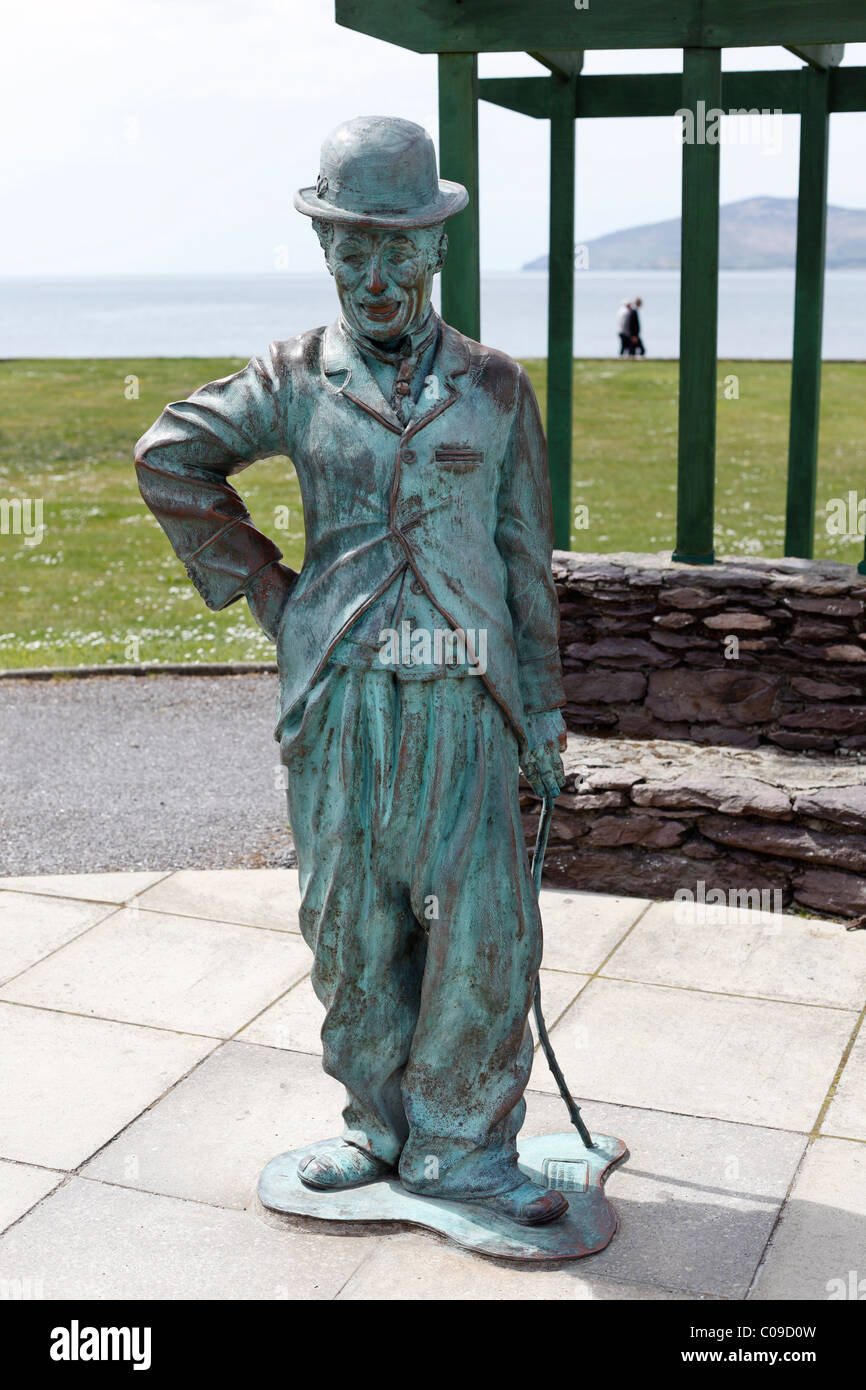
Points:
(657, 818)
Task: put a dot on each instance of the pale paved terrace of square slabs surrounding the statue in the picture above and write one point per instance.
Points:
(163, 1045)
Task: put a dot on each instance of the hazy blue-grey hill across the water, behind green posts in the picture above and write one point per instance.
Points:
(754, 234)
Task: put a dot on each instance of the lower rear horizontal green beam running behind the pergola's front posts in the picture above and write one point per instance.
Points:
(661, 94)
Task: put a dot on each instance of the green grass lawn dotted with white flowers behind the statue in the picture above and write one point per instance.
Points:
(104, 584)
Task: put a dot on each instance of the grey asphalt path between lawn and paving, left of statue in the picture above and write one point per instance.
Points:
(106, 771)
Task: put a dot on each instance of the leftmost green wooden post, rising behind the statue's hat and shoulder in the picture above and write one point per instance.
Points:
(459, 161)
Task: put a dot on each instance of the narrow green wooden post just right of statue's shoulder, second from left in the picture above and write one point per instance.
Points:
(561, 306)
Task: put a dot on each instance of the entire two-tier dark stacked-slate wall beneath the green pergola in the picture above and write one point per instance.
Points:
(693, 771)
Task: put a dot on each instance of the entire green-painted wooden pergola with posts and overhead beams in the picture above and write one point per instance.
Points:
(557, 34)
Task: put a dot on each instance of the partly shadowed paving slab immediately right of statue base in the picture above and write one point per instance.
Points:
(697, 1199)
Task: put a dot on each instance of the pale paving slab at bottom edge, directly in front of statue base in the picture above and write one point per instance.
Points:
(420, 1268)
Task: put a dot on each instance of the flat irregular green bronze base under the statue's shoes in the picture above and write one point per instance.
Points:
(559, 1161)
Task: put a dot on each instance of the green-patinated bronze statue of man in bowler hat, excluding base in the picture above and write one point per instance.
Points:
(419, 668)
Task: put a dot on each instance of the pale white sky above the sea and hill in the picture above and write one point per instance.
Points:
(161, 137)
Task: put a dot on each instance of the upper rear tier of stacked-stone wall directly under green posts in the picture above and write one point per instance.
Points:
(743, 653)
